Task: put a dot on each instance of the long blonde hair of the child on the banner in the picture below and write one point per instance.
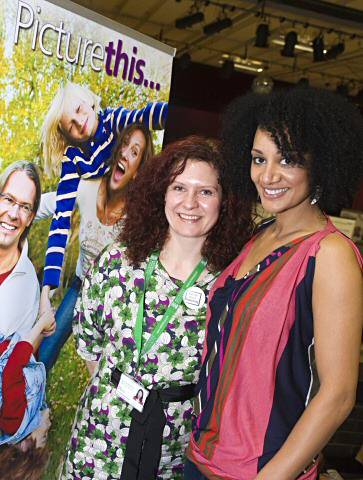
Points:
(54, 142)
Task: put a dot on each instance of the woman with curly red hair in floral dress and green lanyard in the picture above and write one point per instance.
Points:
(142, 312)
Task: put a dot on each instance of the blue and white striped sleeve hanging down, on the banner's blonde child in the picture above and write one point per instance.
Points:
(61, 222)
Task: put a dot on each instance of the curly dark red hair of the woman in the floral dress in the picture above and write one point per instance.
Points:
(146, 228)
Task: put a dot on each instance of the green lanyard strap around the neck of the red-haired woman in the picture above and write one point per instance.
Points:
(170, 312)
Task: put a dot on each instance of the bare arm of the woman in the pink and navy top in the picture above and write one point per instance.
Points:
(337, 310)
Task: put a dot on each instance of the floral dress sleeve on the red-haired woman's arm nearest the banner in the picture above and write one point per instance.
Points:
(89, 323)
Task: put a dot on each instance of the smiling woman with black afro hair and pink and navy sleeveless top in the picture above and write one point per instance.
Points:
(281, 357)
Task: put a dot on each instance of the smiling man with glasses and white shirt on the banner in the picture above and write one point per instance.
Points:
(19, 289)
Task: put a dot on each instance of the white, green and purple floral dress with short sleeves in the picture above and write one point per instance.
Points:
(105, 317)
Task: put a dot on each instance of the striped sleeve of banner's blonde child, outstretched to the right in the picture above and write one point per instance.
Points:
(154, 116)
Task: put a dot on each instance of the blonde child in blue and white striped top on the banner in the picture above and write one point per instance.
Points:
(78, 138)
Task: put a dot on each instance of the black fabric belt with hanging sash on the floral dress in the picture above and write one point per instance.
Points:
(143, 447)
